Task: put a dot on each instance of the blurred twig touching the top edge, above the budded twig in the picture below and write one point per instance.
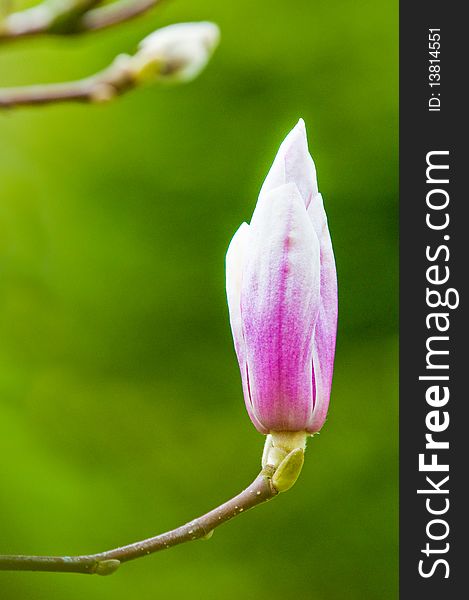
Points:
(76, 16)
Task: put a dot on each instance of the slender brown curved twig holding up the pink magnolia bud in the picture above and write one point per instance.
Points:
(105, 563)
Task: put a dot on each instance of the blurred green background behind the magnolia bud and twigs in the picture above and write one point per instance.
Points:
(121, 411)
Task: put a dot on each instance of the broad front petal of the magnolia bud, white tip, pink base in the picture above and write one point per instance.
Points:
(280, 298)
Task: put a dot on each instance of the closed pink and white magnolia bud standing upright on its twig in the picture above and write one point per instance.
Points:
(282, 296)
